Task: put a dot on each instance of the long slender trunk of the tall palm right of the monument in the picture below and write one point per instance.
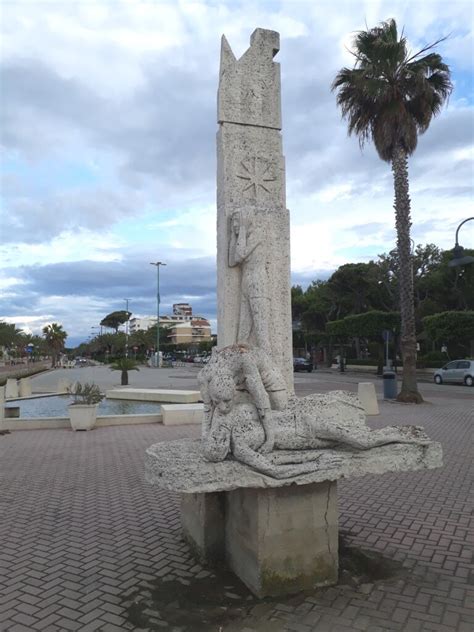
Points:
(409, 392)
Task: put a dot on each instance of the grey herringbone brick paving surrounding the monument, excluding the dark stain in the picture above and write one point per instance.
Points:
(81, 531)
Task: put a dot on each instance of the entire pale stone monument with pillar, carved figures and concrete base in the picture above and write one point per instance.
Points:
(259, 490)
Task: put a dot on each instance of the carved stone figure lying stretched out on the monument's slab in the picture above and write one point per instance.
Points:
(333, 420)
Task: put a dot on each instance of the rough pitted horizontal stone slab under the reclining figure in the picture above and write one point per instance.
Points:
(178, 466)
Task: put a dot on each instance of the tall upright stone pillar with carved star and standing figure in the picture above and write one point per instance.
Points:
(253, 245)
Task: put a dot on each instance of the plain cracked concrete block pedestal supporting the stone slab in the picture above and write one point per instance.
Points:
(277, 541)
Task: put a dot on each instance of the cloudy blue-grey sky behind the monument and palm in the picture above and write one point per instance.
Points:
(108, 139)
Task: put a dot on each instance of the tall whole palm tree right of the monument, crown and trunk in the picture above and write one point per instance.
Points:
(389, 97)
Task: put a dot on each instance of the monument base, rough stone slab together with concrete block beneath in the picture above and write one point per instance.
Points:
(280, 536)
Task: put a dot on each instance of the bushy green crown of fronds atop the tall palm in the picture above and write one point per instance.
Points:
(390, 96)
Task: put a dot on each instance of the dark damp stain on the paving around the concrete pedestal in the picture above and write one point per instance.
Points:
(217, 601)
